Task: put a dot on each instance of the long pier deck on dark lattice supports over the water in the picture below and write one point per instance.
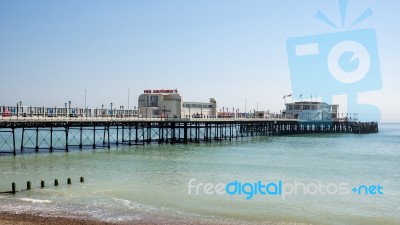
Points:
(63, 134)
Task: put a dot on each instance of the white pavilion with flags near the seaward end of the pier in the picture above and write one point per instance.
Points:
(311, 110)
